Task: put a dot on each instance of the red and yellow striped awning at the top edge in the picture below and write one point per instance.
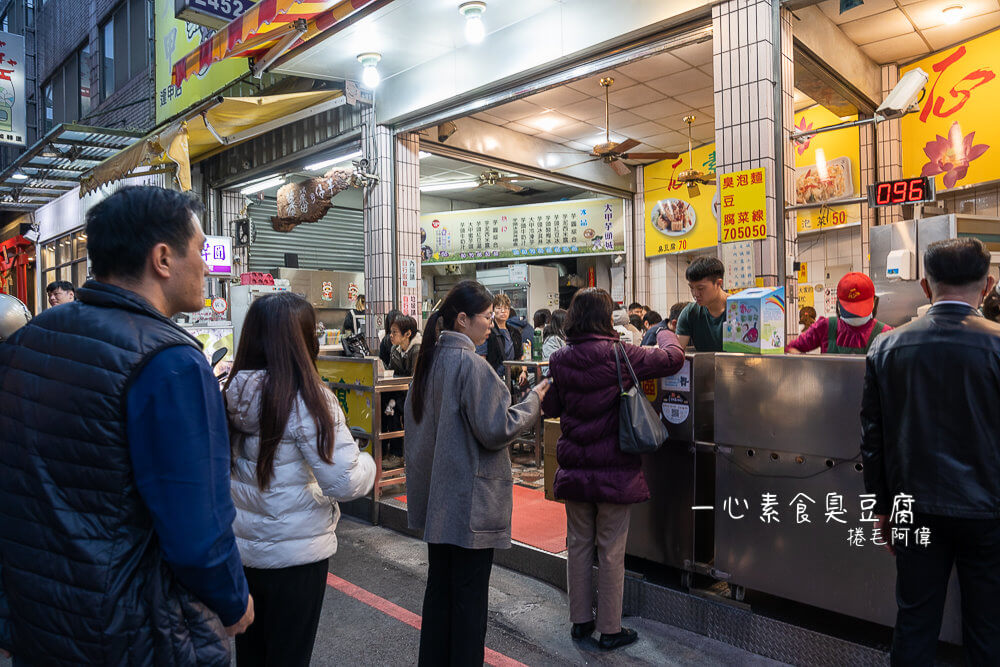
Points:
(265, 31)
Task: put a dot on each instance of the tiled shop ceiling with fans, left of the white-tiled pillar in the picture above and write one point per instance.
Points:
(648, 102)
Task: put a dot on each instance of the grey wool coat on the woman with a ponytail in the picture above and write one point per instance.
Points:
(458, 479)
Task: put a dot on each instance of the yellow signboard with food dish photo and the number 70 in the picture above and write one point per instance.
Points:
(676, 221)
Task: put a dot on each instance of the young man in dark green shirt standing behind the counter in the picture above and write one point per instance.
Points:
(701, 322)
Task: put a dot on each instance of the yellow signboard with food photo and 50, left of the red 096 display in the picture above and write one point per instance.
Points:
(827, 168)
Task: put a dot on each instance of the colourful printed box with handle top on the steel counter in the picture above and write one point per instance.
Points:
(755, 321)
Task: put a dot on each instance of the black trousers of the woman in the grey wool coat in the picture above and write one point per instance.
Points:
(455, 606)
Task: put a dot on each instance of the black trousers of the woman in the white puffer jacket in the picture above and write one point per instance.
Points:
(287, 604)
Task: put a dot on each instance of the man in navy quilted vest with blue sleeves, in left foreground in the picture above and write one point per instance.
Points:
(115, 512)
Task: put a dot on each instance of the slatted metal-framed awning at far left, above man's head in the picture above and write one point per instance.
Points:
(54, 164)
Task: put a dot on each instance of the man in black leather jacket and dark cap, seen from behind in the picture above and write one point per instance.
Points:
(931, 451)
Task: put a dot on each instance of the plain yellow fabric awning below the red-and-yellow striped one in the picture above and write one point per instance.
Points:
(223, 122)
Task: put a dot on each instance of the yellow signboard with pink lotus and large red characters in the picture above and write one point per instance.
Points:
(955, 136)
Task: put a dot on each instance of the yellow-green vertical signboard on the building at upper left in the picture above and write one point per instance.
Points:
(174, 39)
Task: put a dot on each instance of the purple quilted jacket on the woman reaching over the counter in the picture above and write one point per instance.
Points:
(585, 398)
